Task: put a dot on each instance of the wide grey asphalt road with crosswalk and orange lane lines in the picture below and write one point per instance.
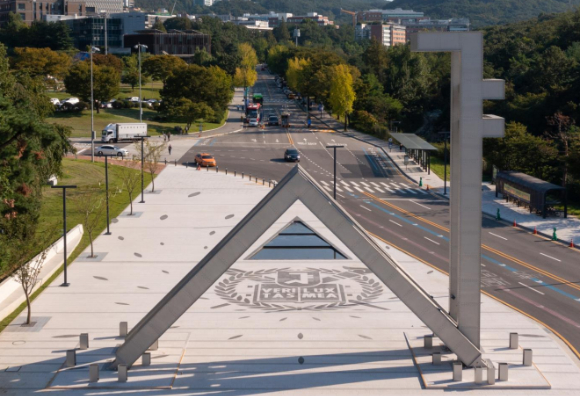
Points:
(538, 277)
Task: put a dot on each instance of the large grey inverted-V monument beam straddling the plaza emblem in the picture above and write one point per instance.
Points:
(297, 185)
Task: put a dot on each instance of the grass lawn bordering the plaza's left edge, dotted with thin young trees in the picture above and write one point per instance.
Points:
(84, 174)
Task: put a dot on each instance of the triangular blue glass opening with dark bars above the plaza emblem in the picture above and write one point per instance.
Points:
(297, 242)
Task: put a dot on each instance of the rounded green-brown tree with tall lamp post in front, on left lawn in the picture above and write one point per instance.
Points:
(105, 82)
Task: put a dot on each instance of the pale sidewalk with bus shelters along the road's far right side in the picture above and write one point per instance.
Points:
(567, 229)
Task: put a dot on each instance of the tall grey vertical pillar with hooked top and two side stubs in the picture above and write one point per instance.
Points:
(468, 127)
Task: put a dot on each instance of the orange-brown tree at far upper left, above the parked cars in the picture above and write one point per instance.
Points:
(41, 62)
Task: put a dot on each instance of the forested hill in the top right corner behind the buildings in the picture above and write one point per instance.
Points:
(486, 12)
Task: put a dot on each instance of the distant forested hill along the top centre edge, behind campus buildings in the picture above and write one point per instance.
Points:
(329, 8)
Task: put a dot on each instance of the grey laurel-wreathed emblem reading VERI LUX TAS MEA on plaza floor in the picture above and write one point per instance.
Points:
(300, 289)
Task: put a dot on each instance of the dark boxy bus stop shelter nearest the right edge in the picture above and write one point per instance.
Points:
(540, 196)
